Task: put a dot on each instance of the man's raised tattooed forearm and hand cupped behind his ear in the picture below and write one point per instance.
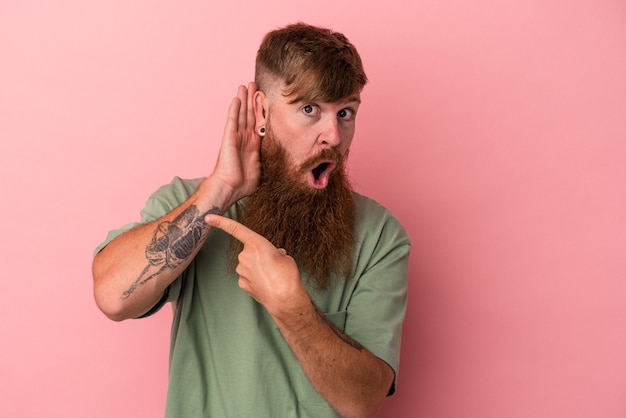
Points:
(130, 274)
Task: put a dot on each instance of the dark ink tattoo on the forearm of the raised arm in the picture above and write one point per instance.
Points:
(173, 243)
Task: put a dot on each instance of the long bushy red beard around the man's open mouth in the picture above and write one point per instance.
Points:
(315, 227)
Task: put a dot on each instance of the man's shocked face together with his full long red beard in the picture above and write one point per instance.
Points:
(304, 202)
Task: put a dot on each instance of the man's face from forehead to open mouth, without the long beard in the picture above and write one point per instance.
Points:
(305, 130)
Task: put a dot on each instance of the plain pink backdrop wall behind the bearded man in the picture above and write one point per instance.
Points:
(496, 132)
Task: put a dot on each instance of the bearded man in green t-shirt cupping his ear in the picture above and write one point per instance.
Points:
(291, 303)
